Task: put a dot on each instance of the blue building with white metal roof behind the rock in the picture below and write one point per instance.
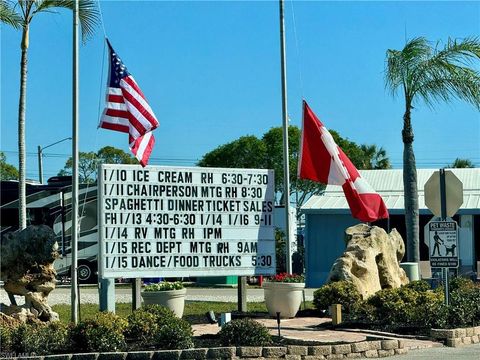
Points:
(328, 215)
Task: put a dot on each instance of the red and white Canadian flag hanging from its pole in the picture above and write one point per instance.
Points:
(323, 161)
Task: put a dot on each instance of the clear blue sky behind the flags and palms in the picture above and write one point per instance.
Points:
(211, 72)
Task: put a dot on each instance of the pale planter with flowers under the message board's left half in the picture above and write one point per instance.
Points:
(168, 294)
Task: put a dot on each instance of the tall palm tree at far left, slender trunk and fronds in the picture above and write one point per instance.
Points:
(19, 15)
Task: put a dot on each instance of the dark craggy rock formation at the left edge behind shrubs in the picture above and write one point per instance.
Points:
(27, 270)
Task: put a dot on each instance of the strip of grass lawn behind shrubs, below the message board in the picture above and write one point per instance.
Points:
(194, 311)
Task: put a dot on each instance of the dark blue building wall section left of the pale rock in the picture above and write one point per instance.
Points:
(324, 241)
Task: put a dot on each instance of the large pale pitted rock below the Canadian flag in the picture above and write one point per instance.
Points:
(371, 260)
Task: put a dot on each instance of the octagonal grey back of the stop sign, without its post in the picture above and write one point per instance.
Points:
(453, 193)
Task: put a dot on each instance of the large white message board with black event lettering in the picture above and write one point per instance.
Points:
(185, 222)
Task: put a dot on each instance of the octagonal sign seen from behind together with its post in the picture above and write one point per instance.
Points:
(443, 196)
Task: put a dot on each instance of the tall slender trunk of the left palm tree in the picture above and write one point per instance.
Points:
(22, 200)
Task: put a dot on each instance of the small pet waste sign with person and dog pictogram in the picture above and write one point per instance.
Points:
(443, 243)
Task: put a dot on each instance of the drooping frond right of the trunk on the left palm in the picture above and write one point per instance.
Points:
(88, 13)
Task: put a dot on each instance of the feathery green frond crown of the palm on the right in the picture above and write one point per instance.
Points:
(431, 74)
